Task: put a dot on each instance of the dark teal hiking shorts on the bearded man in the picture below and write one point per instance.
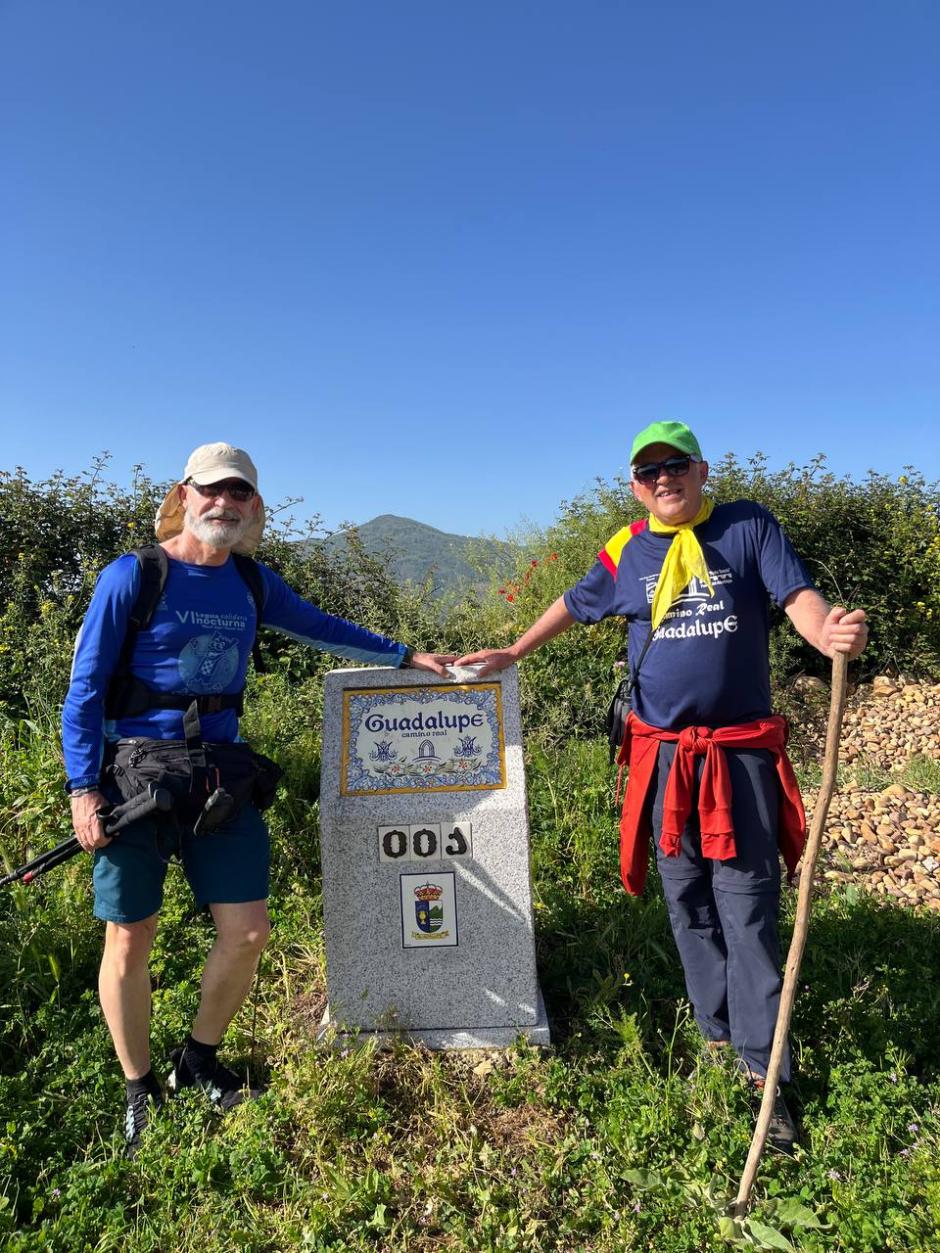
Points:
(229, 866)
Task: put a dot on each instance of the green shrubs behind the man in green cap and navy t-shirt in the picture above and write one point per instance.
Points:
(873, 544)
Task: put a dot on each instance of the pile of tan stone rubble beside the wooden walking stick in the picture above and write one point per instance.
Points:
(883, 831)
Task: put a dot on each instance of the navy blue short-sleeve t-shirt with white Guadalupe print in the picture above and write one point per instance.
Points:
(709, 663)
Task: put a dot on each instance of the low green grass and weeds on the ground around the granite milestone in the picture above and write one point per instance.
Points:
(625, 1136)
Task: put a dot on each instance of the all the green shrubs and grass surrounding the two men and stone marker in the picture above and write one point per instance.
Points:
(626, 1136)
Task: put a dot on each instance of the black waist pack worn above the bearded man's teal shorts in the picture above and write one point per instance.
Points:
(210, 784)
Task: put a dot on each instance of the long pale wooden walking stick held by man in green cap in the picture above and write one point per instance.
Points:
(802, 929)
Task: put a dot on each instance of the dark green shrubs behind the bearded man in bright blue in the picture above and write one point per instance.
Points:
(60, 533)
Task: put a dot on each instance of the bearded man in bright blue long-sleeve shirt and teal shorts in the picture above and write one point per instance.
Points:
(197, 645)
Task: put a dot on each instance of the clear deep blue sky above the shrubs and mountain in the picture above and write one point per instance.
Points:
(443, 260)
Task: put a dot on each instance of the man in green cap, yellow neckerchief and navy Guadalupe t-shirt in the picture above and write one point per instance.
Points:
(709, 774)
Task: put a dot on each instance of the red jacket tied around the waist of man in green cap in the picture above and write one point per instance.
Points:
(640, 751)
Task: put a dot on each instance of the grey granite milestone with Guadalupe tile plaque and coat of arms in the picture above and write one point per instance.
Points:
(426, 840)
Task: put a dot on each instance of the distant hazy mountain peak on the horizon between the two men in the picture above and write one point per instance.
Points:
(415, 549)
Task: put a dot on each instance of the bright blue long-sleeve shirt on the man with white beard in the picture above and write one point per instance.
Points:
(197, 642)
